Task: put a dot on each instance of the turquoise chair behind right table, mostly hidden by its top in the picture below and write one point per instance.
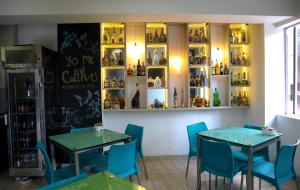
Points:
(259, 155)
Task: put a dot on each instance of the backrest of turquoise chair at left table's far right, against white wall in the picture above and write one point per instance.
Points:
(137, 133)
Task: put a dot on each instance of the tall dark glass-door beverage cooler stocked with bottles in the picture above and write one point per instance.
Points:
(24, 67)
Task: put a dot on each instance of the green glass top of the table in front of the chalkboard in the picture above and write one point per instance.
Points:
(88, 139)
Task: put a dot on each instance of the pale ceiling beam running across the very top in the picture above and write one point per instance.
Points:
(231, 7)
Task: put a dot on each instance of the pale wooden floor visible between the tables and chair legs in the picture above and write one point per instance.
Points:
(165, 173)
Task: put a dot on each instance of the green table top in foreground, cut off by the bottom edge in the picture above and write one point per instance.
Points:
(102, 181)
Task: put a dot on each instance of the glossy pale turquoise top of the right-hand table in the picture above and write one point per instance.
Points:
(238, 135)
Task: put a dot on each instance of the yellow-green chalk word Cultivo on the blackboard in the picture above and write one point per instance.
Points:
(77, 77)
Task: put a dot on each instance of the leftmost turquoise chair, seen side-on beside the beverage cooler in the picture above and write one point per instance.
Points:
(51, 175)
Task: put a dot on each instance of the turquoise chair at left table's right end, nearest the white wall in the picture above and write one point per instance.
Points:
(136, 132)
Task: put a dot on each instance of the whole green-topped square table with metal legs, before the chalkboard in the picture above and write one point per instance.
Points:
(82, 141)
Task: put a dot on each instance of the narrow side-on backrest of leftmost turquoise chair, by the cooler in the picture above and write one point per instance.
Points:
(49, 174)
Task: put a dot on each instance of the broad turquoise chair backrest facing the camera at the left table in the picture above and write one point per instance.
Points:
(121, 159)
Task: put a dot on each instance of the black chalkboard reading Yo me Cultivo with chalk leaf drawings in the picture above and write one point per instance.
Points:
(79, 74)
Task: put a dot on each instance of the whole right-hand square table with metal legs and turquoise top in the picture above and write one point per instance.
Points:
(250, 139)
